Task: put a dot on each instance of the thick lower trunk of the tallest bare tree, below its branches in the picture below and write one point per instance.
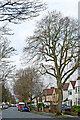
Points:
(60, 99)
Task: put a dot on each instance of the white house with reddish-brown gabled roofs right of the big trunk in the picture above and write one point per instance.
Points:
(71, 93)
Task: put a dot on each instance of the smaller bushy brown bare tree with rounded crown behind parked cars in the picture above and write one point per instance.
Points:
(27, 85)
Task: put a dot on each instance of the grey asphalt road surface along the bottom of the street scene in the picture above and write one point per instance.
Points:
(13, 114)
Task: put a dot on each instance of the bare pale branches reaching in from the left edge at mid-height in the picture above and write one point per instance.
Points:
(5, 53)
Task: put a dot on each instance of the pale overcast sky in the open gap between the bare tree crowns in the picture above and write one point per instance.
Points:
(25, 29)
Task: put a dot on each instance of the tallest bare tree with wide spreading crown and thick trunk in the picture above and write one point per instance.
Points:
(55, 45)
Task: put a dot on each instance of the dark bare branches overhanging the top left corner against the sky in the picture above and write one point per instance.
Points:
(19, 10)
